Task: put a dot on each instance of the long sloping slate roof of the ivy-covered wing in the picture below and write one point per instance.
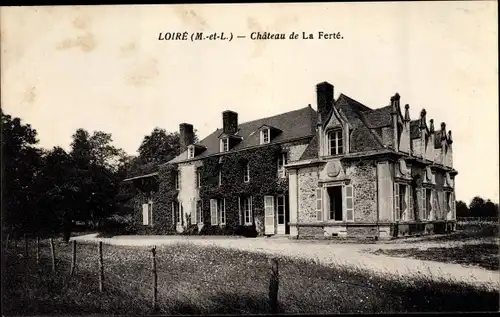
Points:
(293, 125)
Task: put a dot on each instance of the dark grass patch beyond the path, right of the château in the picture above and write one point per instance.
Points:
(482, 253)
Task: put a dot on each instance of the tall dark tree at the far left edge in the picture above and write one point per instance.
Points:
(20, 163)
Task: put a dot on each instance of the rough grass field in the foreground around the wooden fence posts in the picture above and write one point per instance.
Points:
(201, 280)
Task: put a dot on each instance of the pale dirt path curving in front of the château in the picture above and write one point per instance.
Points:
(326, 253)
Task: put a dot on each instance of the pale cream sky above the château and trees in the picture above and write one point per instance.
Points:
(103, 68)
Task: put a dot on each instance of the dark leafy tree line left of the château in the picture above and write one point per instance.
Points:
(45, 191)
